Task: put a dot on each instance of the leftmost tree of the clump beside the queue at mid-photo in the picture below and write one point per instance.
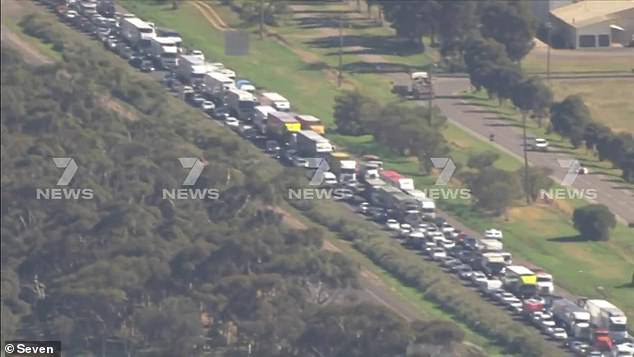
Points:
(351, 110)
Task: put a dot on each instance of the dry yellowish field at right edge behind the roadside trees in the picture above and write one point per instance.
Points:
(609, 101)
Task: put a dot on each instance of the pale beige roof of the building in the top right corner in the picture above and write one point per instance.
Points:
(589, 12)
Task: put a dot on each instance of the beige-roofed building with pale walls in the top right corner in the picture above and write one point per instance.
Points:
(592, 24)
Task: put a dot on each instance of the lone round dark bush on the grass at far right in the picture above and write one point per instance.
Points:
(594, 222)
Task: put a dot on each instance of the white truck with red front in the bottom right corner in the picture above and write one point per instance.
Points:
(605, 316)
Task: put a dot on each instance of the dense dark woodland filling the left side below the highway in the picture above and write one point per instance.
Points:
(132, 272)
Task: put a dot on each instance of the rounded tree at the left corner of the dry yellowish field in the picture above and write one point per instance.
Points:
(569, 118)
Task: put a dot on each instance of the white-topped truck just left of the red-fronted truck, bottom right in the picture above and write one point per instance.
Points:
(573, 318)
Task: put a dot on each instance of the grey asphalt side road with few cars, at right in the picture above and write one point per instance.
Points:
(508, 137)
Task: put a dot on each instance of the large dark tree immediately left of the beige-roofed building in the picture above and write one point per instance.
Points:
(510, 23)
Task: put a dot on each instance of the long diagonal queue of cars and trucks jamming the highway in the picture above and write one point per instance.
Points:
(387, 197)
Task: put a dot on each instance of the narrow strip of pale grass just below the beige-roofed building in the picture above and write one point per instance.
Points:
(570, 61)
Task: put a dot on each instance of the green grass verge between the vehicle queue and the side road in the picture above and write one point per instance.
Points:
(533, 232)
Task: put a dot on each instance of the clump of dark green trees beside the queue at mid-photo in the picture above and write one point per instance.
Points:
(402, 128)
